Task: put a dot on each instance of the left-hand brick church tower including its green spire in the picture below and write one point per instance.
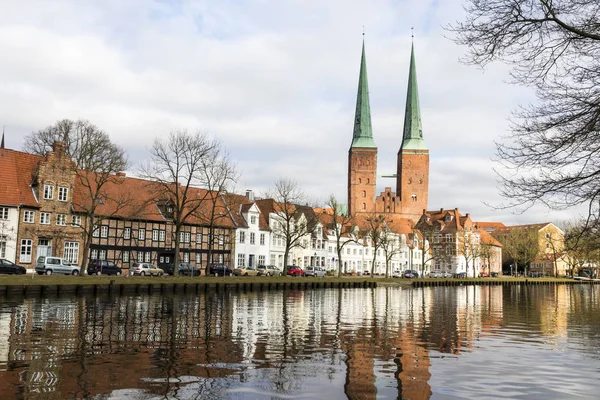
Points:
(362, 156)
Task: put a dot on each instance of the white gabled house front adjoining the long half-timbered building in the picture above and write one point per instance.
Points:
(251, 243)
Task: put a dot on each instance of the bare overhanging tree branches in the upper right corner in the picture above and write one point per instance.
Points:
(552, 154)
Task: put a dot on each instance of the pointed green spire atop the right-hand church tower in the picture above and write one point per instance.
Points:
(413, 132)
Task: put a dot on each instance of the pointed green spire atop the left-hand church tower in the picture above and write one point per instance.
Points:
(363, 133)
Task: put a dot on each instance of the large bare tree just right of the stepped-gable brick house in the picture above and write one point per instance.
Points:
(96, 160)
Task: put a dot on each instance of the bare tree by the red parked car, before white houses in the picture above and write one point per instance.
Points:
(291, 223)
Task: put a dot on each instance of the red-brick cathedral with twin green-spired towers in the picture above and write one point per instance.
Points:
(412, 174)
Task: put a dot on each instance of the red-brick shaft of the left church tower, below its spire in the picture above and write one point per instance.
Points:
(362, 171)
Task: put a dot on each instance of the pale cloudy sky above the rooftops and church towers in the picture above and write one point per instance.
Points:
(274, 80)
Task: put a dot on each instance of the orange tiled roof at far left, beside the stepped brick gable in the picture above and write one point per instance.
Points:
(17, 170)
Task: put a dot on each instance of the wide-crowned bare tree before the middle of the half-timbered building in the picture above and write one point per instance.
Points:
(175, 168)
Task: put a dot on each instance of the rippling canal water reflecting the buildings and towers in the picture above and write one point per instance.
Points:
(469, 342)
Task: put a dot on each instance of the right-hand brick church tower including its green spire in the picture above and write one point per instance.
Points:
(412, 179)
